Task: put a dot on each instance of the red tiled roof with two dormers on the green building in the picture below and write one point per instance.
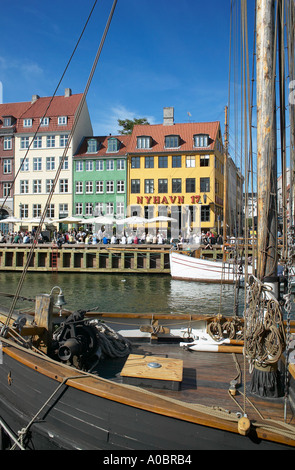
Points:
(102, 148)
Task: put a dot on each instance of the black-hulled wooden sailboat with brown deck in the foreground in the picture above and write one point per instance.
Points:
(73, 382)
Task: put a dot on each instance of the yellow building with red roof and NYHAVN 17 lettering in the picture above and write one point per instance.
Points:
(177, 170)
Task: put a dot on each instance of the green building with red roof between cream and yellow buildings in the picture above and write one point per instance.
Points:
(100, 177)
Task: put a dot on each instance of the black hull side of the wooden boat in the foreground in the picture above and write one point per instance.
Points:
(75, 419)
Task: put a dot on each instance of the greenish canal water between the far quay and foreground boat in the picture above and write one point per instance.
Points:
(125, 293)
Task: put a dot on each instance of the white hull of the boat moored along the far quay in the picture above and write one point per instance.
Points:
(202, 270)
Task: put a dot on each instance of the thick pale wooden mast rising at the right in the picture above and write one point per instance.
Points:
(266, 142)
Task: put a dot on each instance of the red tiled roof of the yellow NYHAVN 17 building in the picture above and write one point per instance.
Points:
(186, 131)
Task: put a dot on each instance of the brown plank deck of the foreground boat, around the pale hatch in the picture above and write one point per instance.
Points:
(206, 381)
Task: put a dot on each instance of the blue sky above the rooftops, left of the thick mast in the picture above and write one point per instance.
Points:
(157, 53)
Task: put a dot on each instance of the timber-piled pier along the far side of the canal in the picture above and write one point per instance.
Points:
(149, 259)
